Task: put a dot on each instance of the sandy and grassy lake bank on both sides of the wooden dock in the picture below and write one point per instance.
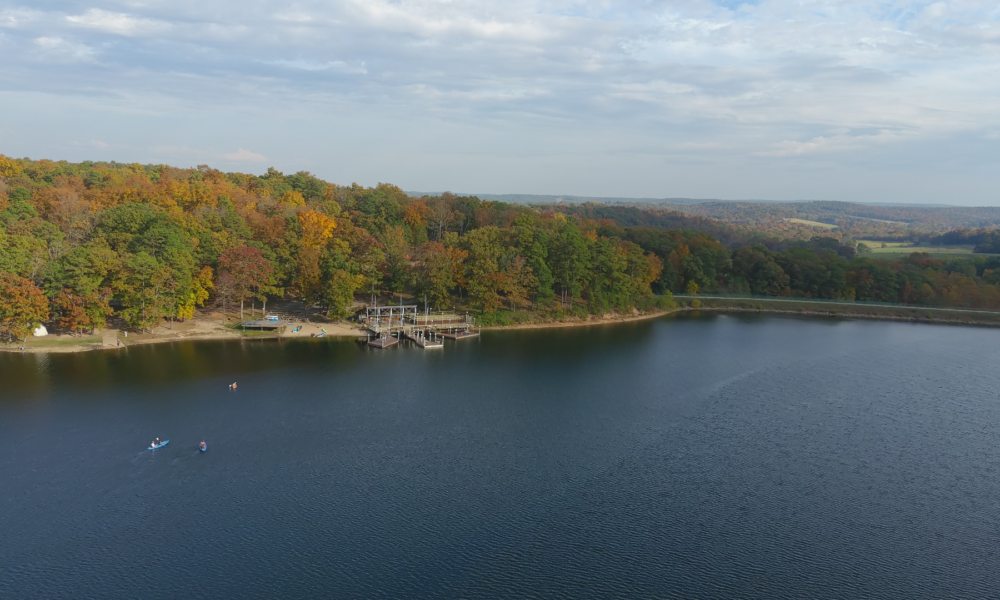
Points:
(207, 327)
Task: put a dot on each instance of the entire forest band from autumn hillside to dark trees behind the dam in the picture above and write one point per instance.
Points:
(81, 243)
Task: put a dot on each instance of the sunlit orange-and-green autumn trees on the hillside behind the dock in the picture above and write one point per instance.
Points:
(155, 242)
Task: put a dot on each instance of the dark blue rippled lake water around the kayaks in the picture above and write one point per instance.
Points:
(693, 457)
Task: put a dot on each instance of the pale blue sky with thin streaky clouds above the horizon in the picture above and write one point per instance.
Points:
(838, 100)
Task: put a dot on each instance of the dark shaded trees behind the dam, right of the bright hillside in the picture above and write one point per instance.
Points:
(819, 268)
